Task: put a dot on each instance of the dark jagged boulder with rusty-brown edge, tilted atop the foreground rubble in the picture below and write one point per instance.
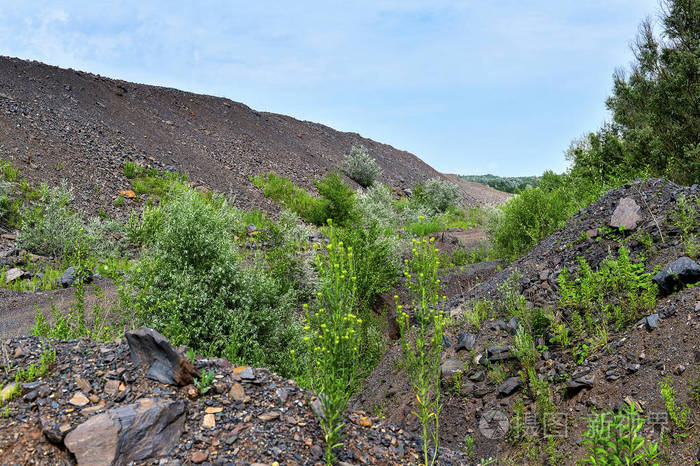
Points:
(165, 363)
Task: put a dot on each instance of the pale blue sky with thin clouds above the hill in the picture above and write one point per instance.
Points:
(469, 86)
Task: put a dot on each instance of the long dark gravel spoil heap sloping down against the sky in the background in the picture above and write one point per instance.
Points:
(64, 124)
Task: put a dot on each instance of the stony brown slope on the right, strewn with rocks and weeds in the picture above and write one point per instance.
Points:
(664, 342)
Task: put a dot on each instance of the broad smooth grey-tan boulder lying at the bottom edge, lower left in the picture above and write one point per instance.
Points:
(149, 428)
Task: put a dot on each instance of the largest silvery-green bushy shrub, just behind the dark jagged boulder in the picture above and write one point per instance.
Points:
(192, 286)
